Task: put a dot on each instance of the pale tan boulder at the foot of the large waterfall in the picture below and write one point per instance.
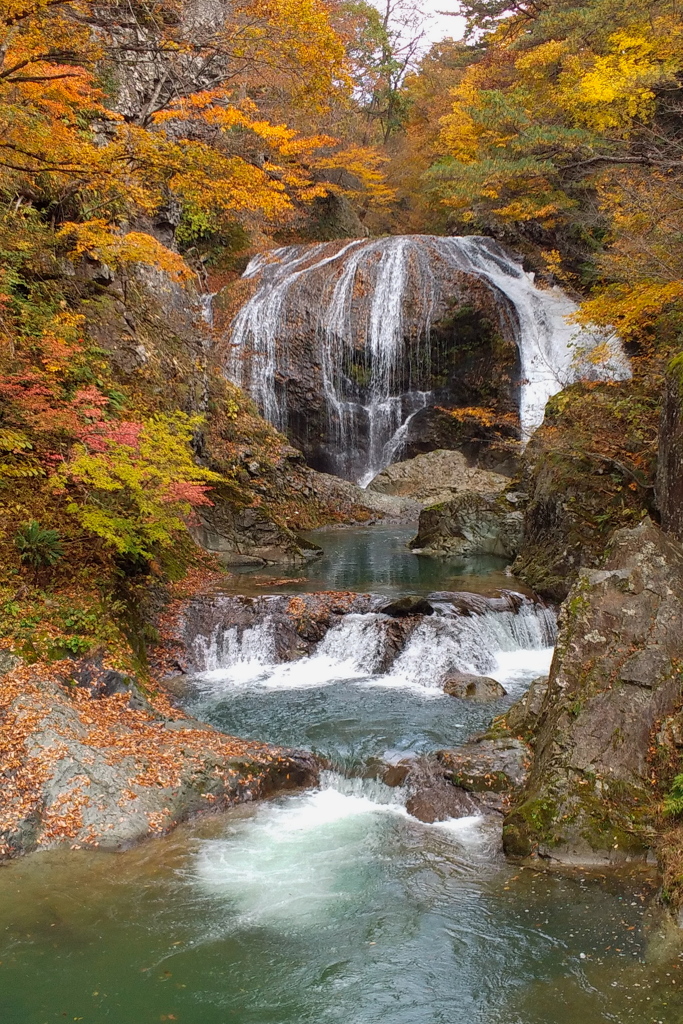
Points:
(435, 478)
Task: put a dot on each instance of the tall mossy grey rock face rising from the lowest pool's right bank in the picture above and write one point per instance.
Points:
(617, 674)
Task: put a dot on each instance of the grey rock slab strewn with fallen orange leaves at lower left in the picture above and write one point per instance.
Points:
(95, 783)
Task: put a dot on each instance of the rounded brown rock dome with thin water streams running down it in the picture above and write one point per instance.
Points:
(445, 335)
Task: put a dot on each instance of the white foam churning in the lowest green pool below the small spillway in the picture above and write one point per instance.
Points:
(305, 861)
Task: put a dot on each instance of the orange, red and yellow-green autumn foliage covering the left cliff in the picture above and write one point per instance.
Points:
(110, 114)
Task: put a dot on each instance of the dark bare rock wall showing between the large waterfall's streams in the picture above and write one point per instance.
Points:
(459, 345)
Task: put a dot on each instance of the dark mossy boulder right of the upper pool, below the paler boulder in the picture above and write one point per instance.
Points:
(472, 524)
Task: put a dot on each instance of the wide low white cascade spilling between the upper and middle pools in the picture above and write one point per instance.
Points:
(372, 648)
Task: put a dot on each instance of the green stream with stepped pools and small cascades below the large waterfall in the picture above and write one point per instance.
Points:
(335, 905)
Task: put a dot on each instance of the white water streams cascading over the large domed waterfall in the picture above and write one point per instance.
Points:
(371, 309)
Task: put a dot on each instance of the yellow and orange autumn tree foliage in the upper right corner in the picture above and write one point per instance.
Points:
(570, 123)
